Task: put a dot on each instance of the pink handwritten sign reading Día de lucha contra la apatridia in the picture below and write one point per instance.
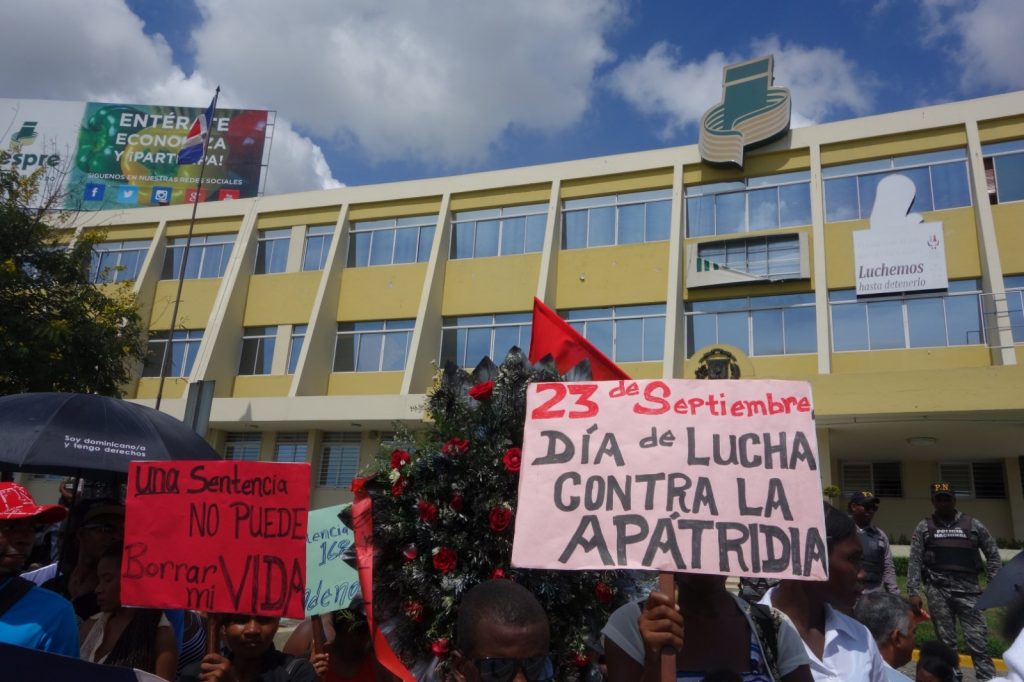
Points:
(674, 476)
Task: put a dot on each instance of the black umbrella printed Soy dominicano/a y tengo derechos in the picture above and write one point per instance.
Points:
(75, 434)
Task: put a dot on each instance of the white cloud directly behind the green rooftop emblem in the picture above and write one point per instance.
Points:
(825, 83)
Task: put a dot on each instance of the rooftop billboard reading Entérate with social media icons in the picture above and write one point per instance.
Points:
(123, 156)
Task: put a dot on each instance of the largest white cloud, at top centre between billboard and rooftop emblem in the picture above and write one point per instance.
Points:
(439, 82)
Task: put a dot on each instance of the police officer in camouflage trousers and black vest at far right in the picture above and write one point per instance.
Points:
(945, 557)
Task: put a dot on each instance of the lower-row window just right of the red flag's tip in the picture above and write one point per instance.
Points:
(625, 333)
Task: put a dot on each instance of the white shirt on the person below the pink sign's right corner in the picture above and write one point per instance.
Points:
(850, 654)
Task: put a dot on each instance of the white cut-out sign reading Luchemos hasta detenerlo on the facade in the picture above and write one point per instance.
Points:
(900, 252)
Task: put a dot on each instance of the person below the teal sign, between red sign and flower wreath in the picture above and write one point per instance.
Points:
(348, 655)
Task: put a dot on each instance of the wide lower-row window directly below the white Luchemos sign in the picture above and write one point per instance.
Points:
(921, 321)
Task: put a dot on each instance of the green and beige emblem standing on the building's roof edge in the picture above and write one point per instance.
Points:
(752, 113)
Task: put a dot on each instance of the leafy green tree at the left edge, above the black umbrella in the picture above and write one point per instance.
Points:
(58, 331)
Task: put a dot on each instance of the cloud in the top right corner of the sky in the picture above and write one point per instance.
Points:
(986, 36)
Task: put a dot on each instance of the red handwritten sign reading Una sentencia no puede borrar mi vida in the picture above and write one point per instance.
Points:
(227, 537)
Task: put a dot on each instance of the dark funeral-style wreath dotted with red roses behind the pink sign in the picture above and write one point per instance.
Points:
(416, 596)
